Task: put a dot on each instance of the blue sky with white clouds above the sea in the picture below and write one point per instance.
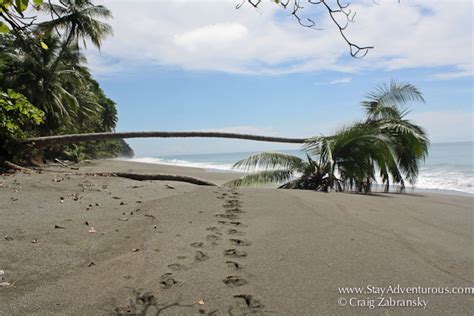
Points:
(202, 65)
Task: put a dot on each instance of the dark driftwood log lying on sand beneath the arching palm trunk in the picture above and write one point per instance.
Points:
(145, 177)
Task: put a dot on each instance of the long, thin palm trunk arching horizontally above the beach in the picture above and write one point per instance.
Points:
(73, 138)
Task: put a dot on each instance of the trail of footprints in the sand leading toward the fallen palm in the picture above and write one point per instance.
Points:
(228, 223)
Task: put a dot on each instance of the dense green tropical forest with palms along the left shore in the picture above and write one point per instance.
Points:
(45, 85)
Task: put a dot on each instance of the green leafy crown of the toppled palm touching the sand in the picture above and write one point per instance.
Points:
(385, 143)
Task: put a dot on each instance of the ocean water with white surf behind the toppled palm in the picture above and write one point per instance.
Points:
(448, 167)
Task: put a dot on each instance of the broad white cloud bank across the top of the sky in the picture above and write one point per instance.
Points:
(213, 35)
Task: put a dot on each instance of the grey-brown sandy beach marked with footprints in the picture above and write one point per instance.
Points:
(76, 244)
